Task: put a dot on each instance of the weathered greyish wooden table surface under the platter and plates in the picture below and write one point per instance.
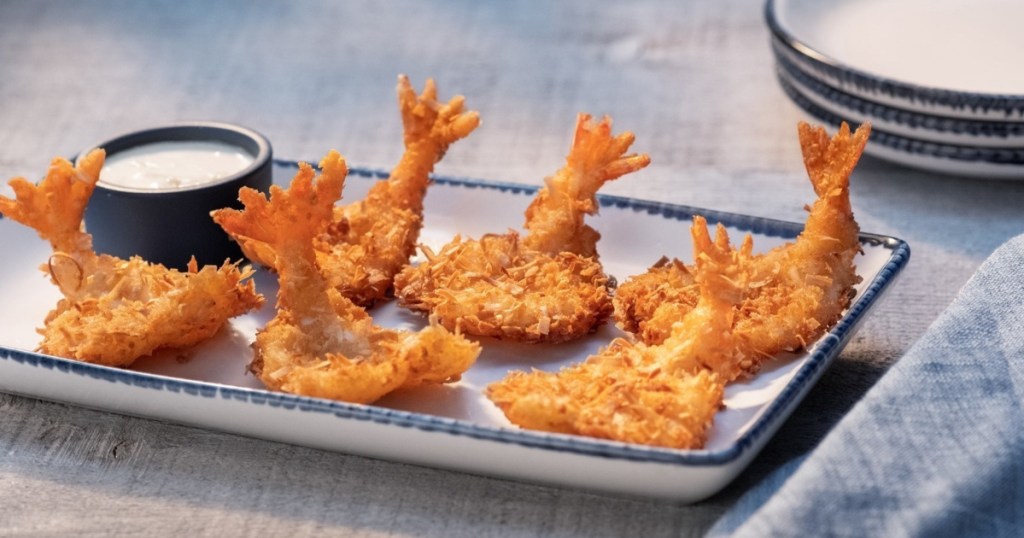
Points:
(696, 82)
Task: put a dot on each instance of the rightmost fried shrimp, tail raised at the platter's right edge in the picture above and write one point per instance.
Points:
(796, 292)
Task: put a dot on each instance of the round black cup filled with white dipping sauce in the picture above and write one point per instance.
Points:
(158, 187)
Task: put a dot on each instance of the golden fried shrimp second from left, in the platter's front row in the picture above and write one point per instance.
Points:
(321, 344)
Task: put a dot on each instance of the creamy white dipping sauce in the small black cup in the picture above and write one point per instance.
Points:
(175, 165)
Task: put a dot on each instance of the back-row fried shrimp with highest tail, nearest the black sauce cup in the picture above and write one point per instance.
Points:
(370, 241)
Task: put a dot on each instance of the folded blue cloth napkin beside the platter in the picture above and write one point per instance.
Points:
(936, 448)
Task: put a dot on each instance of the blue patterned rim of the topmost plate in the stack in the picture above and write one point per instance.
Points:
(1010, 106)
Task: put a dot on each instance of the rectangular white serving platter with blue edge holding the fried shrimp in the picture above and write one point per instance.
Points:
(453, 427)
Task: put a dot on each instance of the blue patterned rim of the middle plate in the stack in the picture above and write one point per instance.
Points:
(979, 129)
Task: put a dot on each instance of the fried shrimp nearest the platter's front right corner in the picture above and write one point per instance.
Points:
(664, 395)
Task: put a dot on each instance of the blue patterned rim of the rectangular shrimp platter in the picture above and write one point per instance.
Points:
(823, 354)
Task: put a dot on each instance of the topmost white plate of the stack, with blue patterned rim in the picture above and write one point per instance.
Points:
(949, 58)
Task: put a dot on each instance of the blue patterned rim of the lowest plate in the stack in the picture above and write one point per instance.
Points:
(966, 154)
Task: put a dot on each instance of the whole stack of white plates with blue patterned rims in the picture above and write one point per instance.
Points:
(942, 81)
